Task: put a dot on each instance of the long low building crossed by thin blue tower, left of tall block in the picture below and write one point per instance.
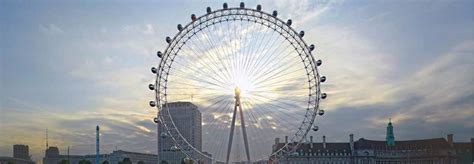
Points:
(53, 156)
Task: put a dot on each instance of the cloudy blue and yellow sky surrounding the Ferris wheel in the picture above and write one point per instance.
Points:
(69, 66)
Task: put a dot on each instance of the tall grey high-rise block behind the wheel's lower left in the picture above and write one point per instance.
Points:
(187, 120)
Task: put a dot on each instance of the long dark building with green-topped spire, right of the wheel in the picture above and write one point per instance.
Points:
(390, 151)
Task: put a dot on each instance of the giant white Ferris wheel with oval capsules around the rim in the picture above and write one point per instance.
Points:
(251, 76)
